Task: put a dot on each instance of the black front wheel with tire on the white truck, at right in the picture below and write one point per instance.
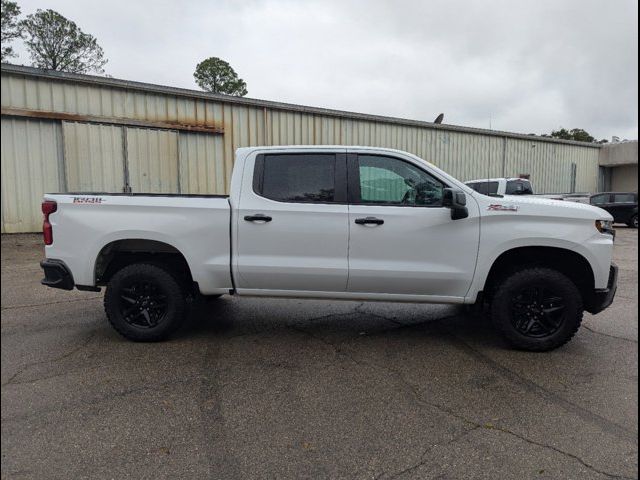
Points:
(537, 309)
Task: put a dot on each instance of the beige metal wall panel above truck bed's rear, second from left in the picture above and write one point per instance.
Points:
(94, 157)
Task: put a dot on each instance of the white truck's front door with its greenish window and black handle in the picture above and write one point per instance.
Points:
(402, 240)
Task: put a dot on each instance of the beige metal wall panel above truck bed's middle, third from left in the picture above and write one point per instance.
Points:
(152, 160)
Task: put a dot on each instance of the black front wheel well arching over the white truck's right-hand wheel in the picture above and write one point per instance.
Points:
(567, 262)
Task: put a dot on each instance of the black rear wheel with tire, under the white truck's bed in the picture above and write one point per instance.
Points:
(144, 303)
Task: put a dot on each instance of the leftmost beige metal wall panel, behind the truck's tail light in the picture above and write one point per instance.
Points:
(31, 151)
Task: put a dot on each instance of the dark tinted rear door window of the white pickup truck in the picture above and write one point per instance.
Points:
(299, 177)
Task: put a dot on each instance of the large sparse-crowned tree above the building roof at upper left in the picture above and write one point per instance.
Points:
(56, 43)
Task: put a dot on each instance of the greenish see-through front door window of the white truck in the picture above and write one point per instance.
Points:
(390, 181)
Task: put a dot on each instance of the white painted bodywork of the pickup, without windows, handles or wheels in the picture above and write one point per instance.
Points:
(424, 255)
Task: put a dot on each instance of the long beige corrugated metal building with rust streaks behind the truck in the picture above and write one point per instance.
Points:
(66, 132)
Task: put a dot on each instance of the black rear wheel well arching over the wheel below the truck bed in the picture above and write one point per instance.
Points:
(121, 253)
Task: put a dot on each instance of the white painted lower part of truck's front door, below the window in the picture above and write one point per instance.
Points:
(417, 251)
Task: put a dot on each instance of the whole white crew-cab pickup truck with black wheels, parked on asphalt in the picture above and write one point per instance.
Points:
(335, 223)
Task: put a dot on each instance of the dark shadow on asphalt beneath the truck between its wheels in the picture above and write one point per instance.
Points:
(336, 322)
